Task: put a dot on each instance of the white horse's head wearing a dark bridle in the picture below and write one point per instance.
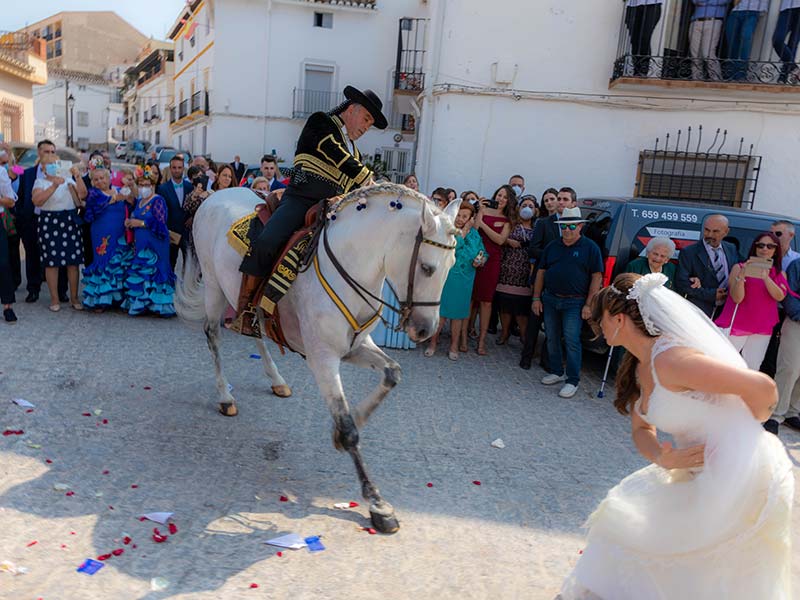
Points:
(418, 270)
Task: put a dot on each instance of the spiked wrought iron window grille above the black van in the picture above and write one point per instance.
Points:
(686, 168)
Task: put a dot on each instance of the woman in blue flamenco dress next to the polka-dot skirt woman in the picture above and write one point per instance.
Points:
(106, 210)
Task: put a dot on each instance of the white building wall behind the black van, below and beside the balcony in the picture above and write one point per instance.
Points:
(535, 98)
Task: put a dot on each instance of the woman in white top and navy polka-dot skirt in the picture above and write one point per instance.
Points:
(60, 237)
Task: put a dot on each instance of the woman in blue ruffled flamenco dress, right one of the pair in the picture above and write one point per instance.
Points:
(150, 281)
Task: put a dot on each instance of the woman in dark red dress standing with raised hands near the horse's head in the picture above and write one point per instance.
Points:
(493, 222)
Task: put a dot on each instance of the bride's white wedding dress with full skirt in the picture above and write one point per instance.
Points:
(719, 532)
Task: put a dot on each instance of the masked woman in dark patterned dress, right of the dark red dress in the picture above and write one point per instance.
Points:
(513, 287)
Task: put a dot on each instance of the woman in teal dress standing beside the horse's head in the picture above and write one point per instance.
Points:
(458, 287)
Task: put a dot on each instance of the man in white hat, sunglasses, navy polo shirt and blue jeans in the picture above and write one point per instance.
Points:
(569, 275)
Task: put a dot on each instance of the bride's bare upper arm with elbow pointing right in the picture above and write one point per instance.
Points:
(687, 369)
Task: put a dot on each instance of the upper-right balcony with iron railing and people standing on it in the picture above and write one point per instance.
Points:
(672, 48)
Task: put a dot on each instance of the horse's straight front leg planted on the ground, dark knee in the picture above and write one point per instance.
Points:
(325, 366)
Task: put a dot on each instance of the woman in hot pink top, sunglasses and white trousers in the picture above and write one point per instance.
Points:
(751, 310)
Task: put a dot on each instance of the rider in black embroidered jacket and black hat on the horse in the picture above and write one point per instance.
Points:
(326, 164)
